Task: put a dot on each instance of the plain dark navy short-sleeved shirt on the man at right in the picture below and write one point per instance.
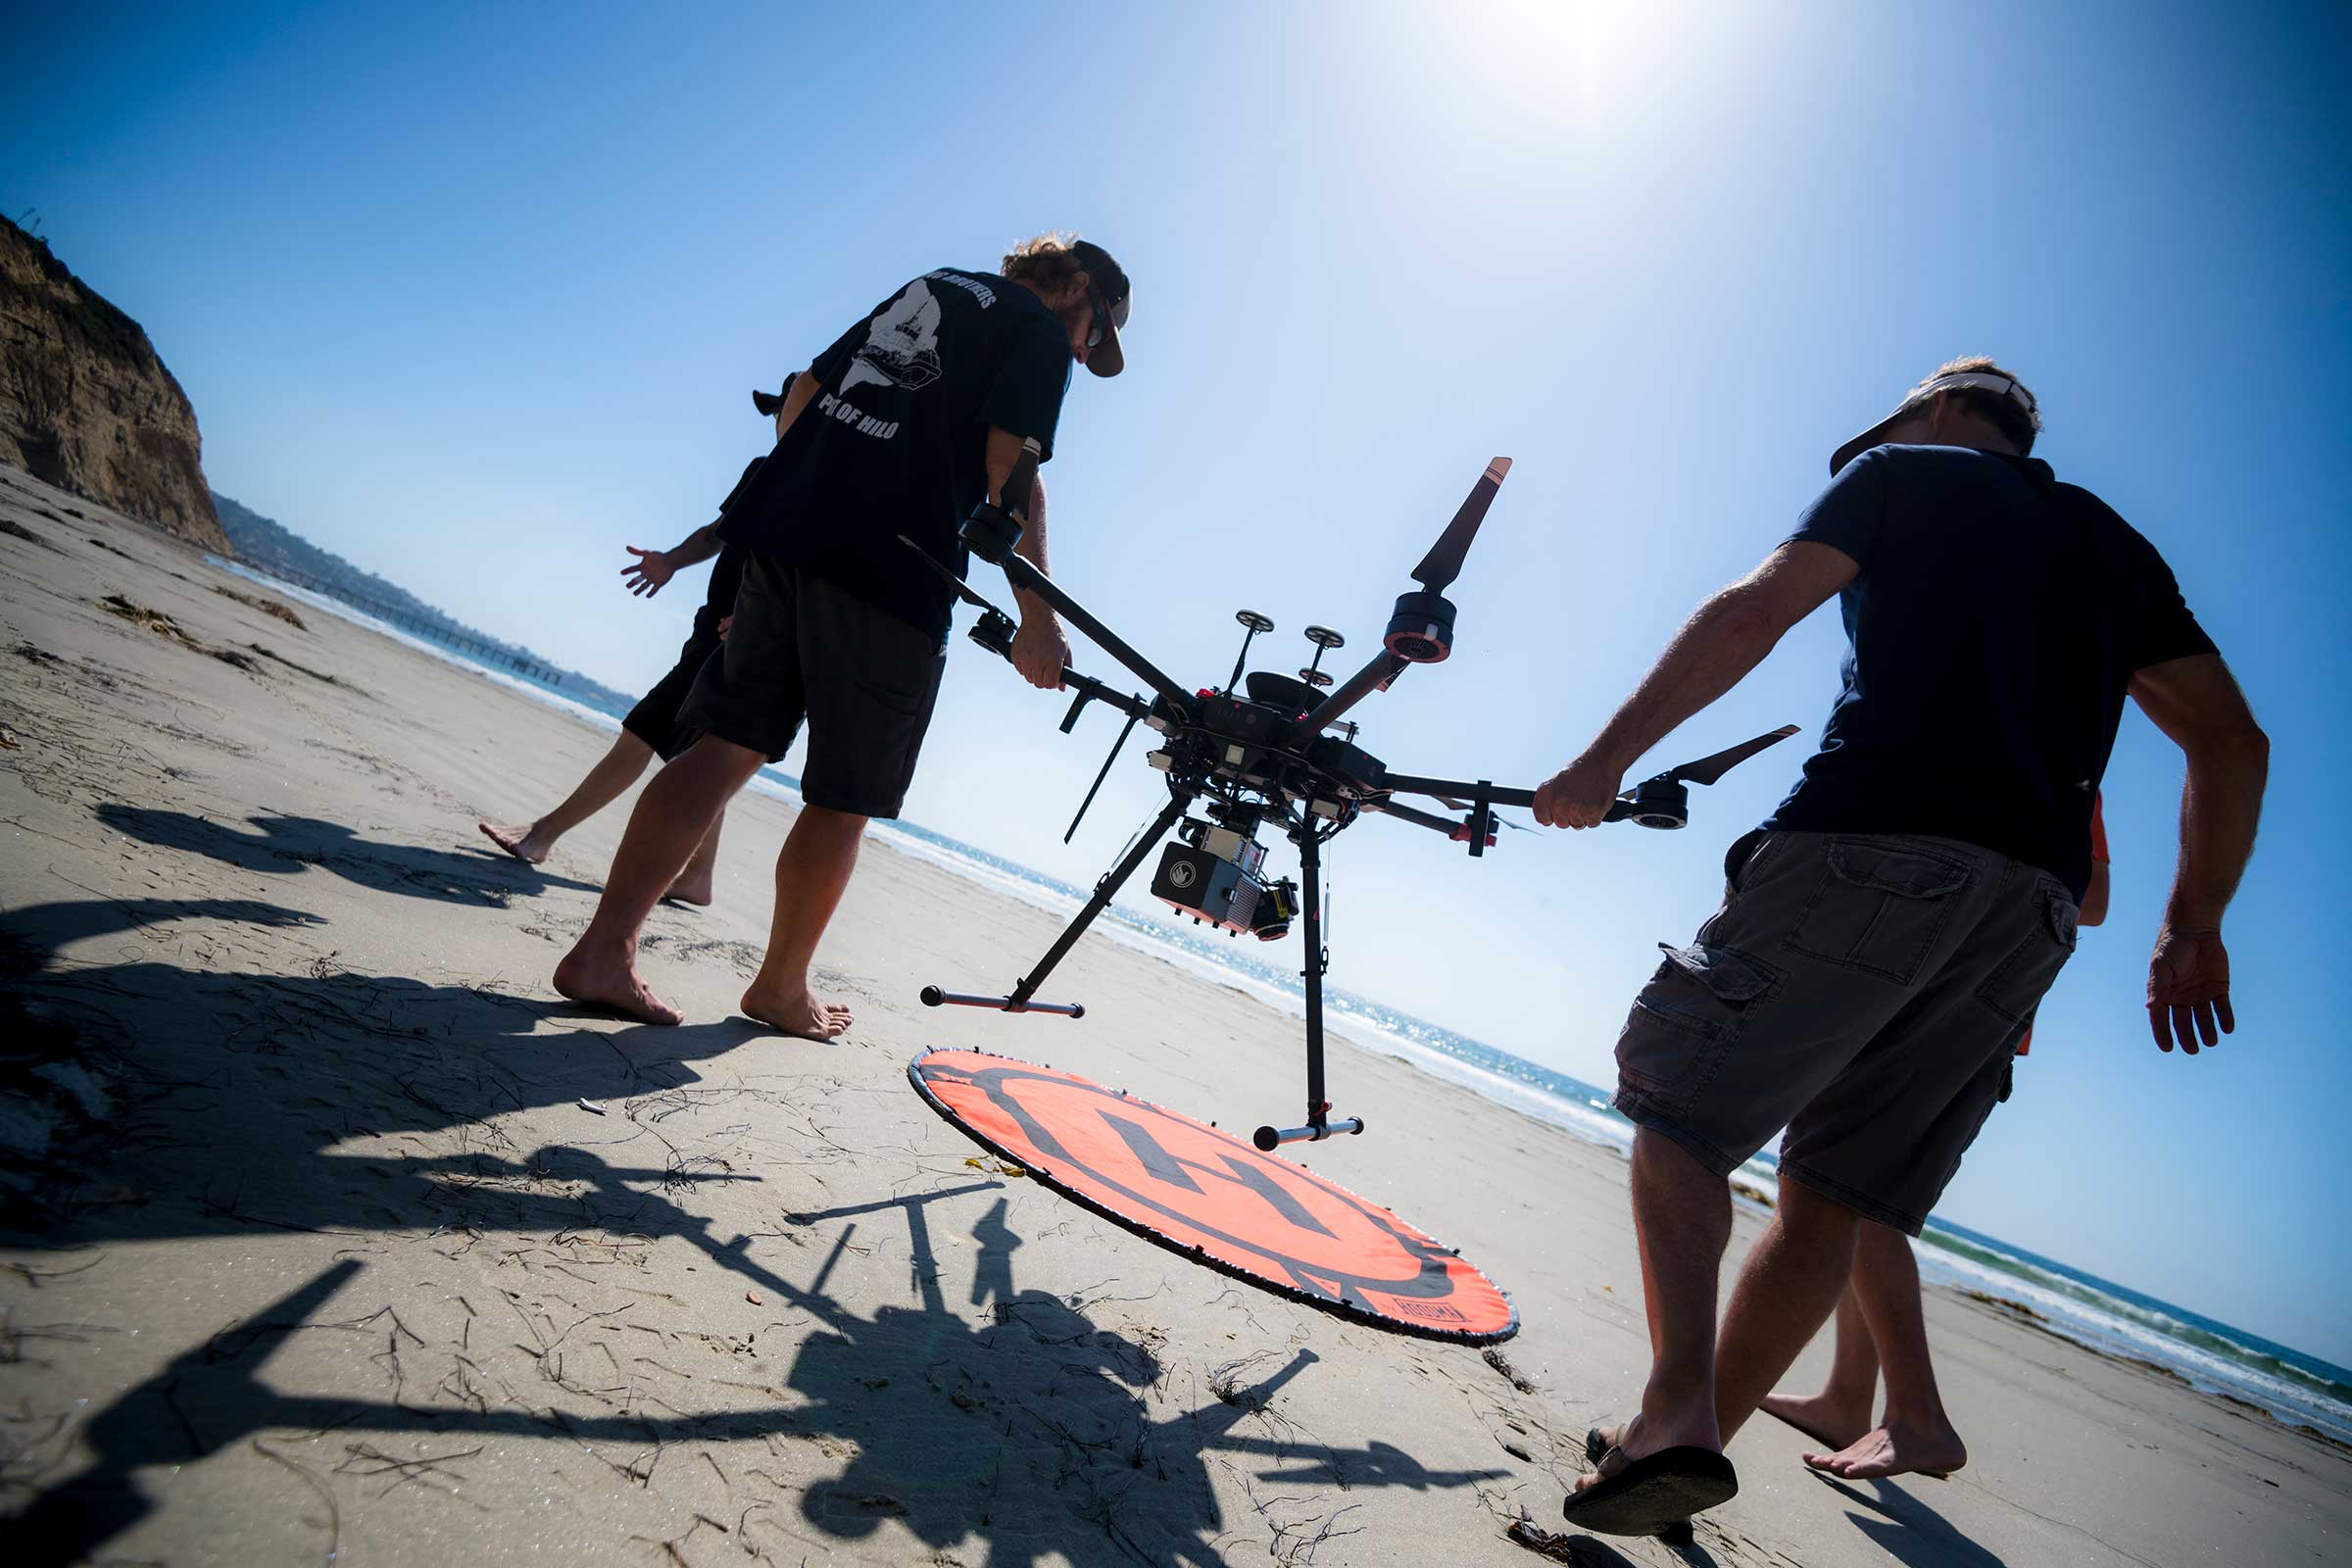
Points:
(1996, 624)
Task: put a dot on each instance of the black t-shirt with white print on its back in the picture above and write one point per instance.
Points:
(897, 438)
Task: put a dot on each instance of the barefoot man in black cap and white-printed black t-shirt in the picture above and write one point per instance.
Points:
(942, 398)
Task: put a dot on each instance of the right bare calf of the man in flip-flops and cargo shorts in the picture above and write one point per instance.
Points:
(1784, 1296)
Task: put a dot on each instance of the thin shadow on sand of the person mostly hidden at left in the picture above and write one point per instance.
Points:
(283, 845)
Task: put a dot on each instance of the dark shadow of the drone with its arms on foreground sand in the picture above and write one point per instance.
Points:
(1029, 1430)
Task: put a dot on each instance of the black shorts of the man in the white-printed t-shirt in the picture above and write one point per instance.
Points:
(808, 650)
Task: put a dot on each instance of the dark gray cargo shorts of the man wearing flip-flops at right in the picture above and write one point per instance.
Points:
(1862, 991)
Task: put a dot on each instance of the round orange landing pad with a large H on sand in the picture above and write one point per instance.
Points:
(1215, 1198)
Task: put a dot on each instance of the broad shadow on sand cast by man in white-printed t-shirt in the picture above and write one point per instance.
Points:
(234, 1092)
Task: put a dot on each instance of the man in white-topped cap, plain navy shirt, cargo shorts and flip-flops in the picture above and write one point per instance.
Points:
(1887, 934)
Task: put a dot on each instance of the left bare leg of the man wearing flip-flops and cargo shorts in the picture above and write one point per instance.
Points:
(1683, 1221)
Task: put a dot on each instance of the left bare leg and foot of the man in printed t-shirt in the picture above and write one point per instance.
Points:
(671, 819)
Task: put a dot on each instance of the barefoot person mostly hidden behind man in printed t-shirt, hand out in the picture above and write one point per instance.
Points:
(653, 728)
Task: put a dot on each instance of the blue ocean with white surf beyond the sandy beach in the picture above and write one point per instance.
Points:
(2205, 1353)
